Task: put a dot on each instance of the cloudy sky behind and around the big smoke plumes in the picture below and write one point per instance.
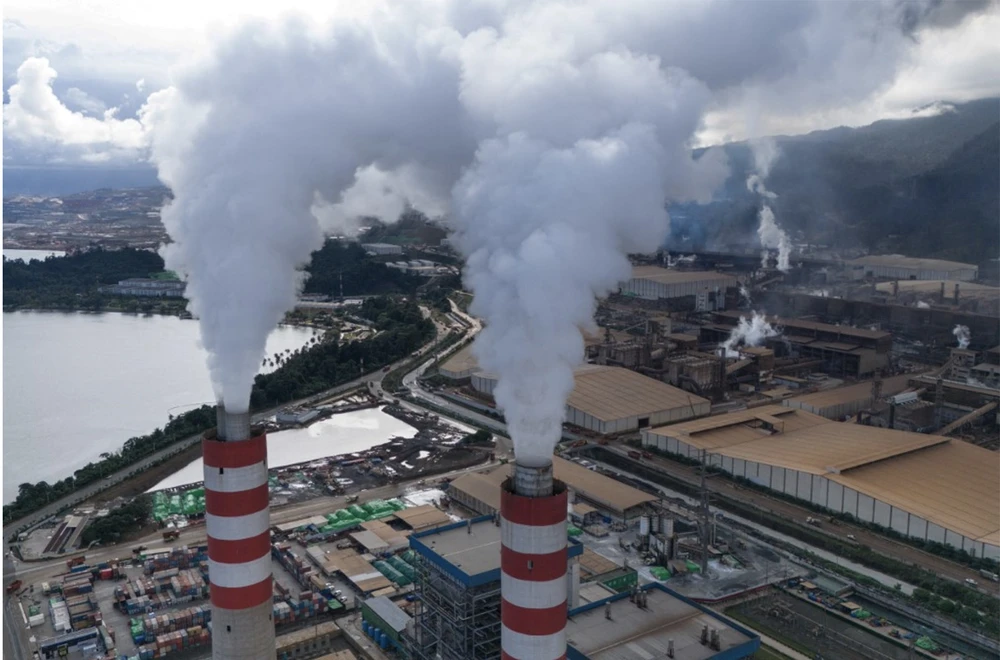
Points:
(96, 63)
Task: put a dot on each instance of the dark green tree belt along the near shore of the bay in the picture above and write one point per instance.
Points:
(402, 329)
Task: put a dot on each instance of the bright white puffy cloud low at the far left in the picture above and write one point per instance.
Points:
(35, 117)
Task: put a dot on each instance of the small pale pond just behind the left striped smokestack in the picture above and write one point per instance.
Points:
(340, 434)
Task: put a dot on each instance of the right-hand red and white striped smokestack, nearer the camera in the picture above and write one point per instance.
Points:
(533, 565)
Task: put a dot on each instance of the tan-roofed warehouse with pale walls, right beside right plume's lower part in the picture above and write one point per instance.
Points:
(609, 400)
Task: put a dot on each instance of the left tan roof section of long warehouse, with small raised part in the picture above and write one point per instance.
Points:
(733, 428)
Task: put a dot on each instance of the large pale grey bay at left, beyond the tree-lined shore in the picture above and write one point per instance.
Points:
(76, 385)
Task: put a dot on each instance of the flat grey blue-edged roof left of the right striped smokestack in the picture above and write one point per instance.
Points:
(468, 550)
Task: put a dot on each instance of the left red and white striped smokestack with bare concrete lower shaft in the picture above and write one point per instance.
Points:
(238, 523)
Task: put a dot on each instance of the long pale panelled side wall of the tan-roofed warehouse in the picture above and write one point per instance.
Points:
(835, 497)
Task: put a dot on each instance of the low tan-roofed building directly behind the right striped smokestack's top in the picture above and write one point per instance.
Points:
(480, 492)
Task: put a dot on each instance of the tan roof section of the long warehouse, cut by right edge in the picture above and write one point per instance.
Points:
(953, 484)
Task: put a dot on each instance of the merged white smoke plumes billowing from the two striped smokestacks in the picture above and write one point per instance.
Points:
(550, 134)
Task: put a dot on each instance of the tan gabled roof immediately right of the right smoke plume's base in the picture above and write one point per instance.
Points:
(609, 393)
